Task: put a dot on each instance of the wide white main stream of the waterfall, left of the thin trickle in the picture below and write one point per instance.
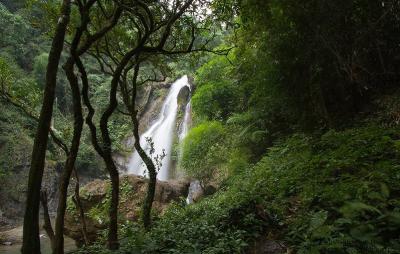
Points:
(161, 133)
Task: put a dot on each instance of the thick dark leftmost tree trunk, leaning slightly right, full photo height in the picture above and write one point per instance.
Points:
(31, 241)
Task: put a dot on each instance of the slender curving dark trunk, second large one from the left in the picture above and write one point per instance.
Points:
(70, 163)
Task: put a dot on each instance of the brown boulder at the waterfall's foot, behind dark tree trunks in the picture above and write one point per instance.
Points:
(95, 197)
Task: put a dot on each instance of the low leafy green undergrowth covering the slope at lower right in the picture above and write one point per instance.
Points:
(335, 193)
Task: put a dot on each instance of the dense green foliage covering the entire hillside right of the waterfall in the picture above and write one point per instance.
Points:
(299, 70)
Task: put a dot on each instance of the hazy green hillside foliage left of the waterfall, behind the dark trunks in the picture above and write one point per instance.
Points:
(23, 60)
